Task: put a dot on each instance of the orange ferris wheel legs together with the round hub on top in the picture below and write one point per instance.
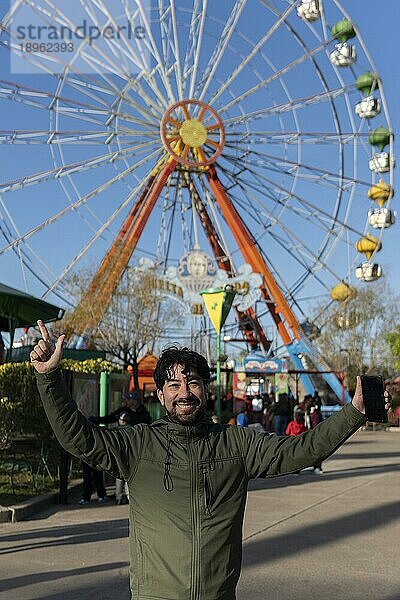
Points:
(184, 141)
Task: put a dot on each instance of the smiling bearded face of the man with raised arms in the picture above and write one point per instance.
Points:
(184, 396)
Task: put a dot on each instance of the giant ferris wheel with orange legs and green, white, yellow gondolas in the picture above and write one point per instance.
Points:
(253, 132)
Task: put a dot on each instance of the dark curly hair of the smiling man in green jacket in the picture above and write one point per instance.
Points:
(189, 359)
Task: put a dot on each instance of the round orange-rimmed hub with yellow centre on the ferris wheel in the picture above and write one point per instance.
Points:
(193, 133)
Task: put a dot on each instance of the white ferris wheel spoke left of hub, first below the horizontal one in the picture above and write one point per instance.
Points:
(66, 170)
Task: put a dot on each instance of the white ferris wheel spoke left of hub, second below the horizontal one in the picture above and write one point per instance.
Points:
(81, 201)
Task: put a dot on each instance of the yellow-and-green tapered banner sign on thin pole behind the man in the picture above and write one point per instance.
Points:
(218, 303)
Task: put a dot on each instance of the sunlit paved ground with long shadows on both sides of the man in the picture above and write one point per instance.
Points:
(306, 537)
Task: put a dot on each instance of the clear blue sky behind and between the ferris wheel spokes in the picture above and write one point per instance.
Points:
(58, 244)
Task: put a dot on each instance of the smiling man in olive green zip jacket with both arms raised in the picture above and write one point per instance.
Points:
(187, 476)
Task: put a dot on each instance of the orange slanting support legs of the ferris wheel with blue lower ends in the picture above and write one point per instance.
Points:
(285, 320)
